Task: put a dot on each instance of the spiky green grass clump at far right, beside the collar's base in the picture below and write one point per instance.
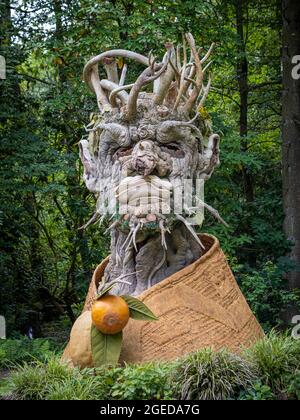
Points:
(277, 359)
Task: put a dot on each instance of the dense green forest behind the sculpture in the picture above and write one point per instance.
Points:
(45, 261)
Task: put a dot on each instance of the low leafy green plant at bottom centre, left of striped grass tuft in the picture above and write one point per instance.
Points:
(144, 382)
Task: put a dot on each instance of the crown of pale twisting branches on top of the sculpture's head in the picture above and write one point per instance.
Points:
(174, 74)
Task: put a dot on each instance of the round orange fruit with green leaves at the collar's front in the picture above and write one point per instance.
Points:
(110, 314)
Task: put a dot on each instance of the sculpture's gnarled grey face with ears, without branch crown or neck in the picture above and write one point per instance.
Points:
(139, 170)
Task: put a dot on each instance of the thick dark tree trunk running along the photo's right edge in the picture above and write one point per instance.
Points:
(291, 138)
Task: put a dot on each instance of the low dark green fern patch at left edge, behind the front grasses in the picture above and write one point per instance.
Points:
(14, 352)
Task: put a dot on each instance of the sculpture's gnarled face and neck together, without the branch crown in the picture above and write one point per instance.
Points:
(145, 167)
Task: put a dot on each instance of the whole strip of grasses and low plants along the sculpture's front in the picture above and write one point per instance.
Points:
(269, 370)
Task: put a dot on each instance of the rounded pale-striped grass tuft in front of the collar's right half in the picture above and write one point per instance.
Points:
(207, 375)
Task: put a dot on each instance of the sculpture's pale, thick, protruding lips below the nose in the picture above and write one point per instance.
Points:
(141, 196)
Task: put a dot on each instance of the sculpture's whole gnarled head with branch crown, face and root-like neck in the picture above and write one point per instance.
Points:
(143, 156)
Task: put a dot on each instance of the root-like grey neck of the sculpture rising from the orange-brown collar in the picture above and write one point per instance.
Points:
(150, 261)
